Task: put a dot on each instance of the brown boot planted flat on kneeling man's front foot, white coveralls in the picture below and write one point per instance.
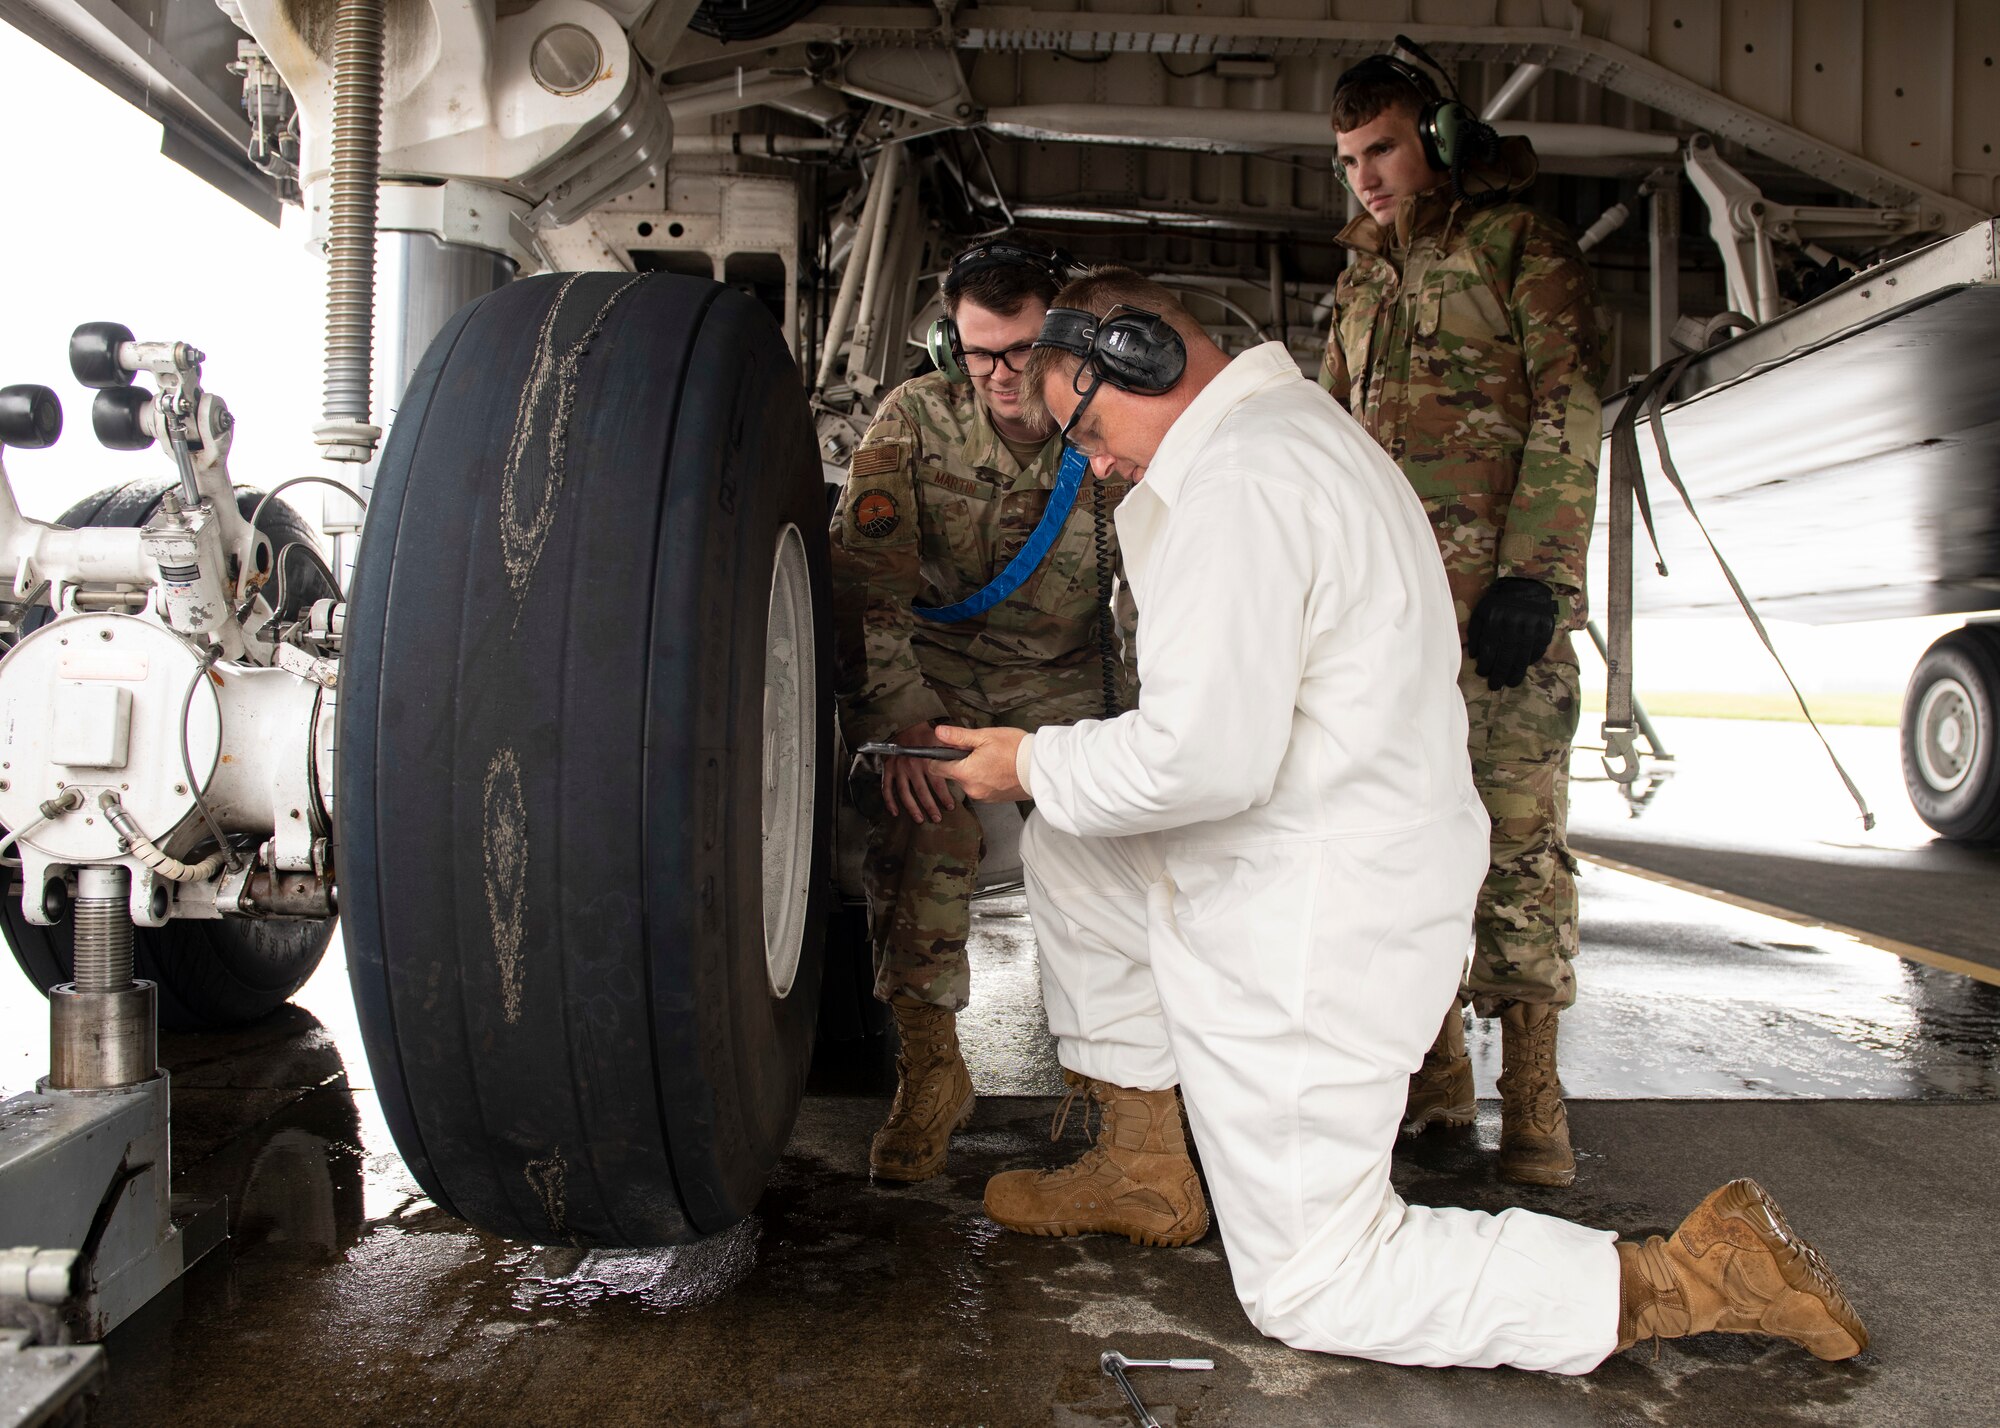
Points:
(1137, 1181)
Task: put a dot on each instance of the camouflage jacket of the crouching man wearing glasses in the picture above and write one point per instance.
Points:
(933, 511)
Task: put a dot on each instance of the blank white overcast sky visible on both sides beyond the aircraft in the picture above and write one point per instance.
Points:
(103, 227)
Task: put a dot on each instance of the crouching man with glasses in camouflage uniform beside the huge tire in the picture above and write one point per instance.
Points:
(939, 501)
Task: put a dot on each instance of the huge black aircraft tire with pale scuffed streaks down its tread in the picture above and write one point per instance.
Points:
(587, 659)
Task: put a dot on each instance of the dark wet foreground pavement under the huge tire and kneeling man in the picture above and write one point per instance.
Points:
(841, 1303)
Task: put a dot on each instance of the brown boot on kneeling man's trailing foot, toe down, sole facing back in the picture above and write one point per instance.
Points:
(1735, 1267)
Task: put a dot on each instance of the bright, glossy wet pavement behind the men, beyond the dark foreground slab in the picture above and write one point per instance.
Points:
(1683, 999)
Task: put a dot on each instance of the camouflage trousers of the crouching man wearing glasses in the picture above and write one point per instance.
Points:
(921, 875)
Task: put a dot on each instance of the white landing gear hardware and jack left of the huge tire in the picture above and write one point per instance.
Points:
(165, 759)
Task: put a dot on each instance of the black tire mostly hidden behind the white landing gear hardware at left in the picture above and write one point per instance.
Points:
(213, 975)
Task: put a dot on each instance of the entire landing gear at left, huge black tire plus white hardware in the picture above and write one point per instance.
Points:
(583, 809)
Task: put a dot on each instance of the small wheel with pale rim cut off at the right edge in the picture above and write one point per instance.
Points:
(1951, 735)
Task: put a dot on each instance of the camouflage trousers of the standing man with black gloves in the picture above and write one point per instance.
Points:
(1525, 923)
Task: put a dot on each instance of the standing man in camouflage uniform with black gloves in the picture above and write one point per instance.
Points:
(1465, 341)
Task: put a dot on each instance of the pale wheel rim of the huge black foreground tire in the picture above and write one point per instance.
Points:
(789, 761)
